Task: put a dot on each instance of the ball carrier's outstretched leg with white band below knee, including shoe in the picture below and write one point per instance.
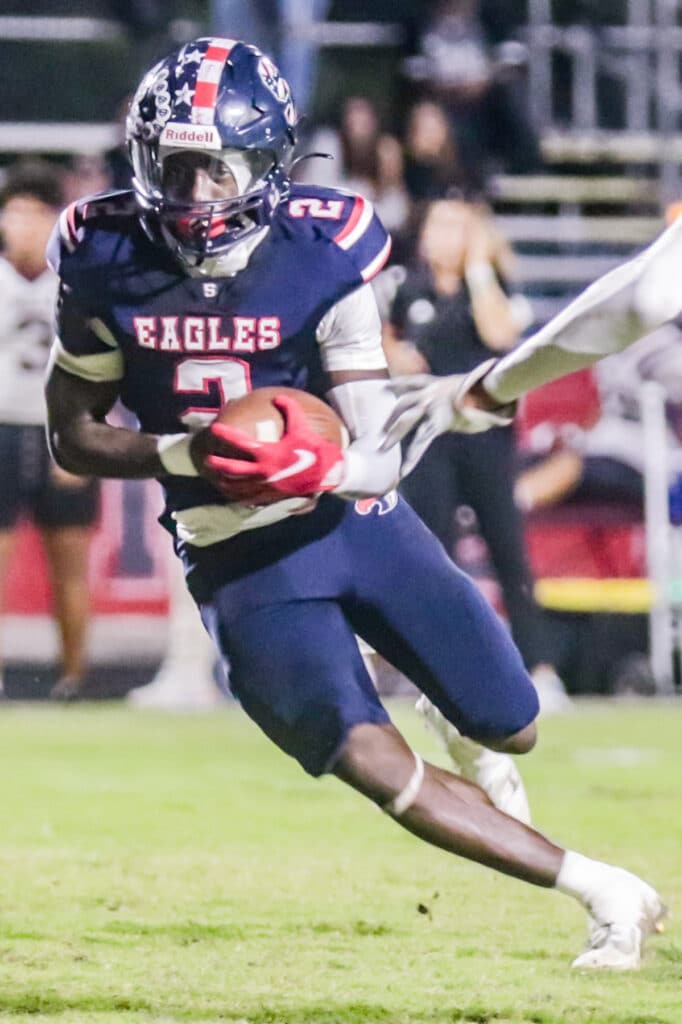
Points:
(299, 673)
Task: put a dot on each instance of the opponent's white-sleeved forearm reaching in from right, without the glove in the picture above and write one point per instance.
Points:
(614, 313)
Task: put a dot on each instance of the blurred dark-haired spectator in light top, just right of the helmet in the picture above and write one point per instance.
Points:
(366, 160)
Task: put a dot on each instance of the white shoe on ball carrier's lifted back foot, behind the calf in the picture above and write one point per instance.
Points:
(496, 774)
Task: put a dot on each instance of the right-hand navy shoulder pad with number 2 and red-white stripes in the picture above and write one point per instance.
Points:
(349, 221)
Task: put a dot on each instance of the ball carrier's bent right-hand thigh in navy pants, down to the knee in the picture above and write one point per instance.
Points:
(431, 621)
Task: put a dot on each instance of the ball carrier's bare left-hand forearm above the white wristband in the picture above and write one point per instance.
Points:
(90, 448)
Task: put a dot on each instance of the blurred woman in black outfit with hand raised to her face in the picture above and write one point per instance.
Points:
(452, 313)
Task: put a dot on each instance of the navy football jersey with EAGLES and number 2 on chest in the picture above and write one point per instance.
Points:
(182, 346)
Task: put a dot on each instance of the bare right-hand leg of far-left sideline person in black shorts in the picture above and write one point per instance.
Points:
(66, 507)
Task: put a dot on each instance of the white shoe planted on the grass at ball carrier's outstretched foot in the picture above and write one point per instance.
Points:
(624, 915)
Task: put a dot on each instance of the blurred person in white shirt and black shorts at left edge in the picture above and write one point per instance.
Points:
(64, 507)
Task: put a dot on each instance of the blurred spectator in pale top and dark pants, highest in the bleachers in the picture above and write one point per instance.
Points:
(482, 87)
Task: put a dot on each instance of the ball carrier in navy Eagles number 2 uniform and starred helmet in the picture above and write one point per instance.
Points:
(216, 276)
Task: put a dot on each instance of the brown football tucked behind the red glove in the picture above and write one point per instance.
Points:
(255, 415)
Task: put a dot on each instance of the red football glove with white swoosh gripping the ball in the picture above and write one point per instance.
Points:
(302, 463)
